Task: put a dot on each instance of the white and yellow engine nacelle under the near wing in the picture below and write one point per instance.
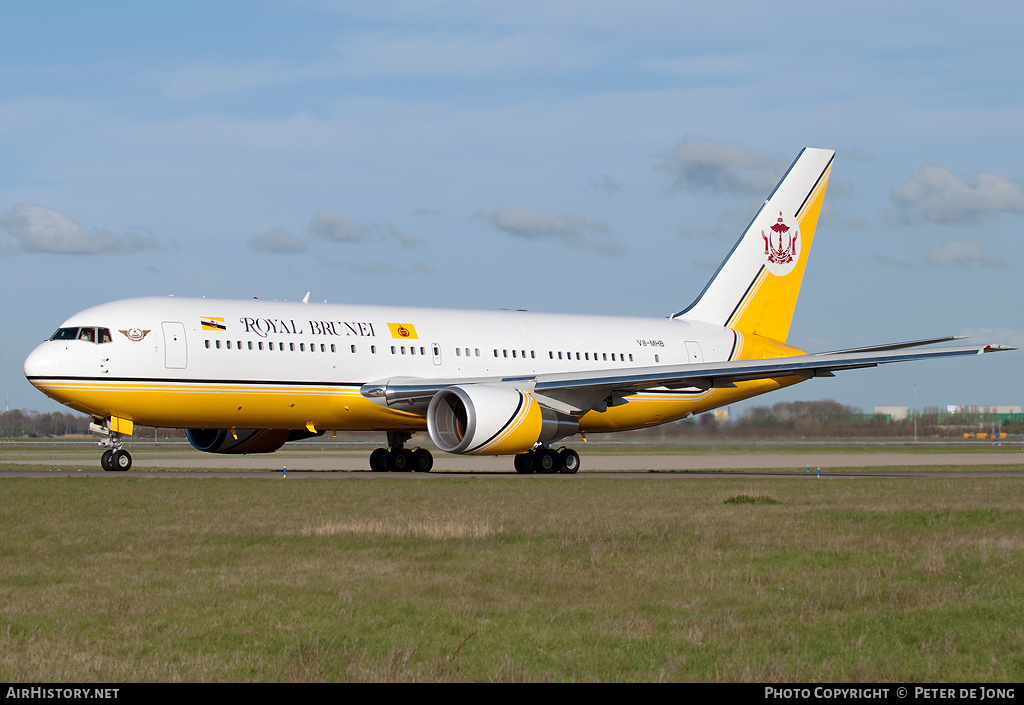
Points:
(480, 420)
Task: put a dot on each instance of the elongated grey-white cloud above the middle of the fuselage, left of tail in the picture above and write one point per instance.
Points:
(568, 229)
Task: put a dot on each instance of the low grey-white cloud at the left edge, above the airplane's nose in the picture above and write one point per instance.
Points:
(38, 229)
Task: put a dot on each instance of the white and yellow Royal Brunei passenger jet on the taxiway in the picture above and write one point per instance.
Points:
(248, 377)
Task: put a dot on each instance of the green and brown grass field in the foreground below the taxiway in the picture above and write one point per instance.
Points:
(511, 579)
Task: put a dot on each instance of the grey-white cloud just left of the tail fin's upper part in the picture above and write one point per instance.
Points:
(713, 168)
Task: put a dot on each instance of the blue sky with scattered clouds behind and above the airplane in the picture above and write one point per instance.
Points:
(570, 157)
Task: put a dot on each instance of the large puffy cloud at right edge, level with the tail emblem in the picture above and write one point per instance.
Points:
(935, 195)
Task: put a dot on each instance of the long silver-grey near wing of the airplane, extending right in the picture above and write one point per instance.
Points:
(580, 392)
